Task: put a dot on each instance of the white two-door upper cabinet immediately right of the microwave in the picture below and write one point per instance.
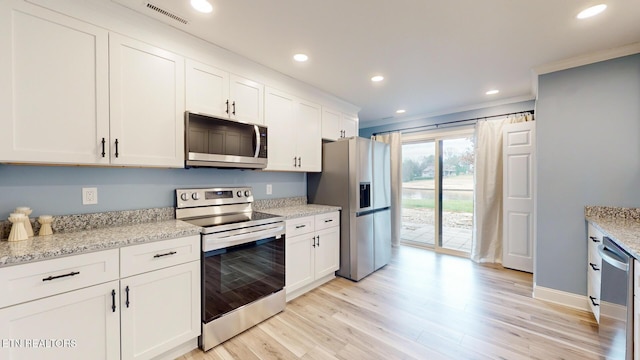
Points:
(293, 124)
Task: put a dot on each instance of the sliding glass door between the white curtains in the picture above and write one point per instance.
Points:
(437, 191)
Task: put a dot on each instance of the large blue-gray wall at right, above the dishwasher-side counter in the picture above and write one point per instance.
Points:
(588, 147)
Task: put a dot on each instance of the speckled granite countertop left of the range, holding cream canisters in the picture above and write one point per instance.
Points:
(83, 241)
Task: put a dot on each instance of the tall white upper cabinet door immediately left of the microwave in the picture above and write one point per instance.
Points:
(147, 104)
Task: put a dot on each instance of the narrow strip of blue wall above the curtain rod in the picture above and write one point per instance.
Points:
(472, 114)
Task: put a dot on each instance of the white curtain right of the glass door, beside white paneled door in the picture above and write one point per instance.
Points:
(487, 234)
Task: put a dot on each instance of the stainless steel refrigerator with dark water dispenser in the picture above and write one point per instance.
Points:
(356, 176)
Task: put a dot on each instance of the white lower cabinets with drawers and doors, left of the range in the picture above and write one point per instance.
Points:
(137, 302)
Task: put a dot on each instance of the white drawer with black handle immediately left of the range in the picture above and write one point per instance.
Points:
(141, 258)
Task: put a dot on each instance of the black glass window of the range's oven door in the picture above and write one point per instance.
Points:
(241, 274)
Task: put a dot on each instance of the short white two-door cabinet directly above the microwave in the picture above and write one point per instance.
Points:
(216, 92)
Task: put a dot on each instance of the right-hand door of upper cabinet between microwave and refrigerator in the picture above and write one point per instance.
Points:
(309, 140)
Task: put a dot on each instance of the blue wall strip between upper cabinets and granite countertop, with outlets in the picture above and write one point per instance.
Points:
(57, 190)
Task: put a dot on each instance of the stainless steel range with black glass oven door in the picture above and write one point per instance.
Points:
(242, 260)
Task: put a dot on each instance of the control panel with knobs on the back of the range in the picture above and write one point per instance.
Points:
(186, 198)
